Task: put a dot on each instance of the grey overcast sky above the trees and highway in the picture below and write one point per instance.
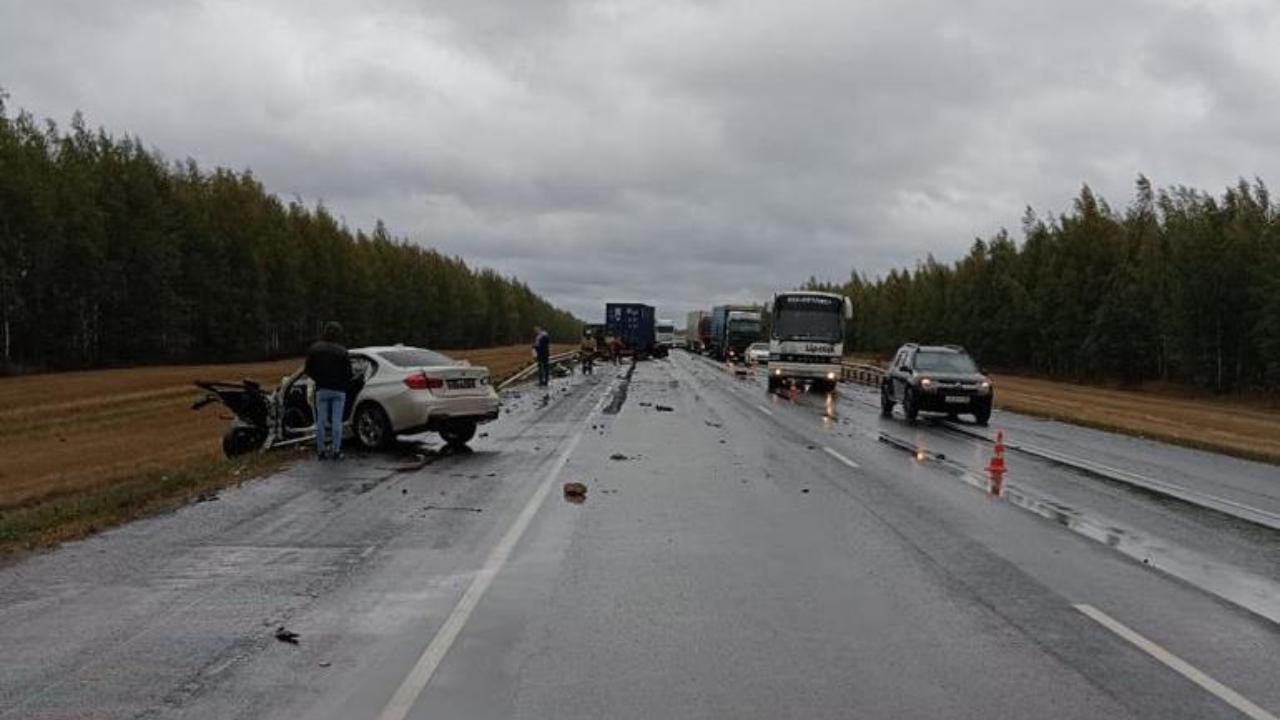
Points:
(676, 153)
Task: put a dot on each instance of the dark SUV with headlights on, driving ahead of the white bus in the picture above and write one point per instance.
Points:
(936, 379)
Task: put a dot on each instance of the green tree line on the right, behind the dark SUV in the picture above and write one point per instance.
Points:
(1180, 286)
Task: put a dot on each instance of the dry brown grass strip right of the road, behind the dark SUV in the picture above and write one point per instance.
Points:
(1241, 426)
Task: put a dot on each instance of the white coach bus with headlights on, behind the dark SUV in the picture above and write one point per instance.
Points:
(807, 340)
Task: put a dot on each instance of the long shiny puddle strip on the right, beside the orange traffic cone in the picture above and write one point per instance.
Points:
(1258, 594)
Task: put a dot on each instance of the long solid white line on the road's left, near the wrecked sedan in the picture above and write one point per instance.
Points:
(418, 678)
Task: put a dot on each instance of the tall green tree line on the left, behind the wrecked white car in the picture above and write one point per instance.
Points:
(111, 256)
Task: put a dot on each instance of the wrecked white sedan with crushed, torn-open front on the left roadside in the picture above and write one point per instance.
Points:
(394, 391)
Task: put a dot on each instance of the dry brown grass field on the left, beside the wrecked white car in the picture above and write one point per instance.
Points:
(92, 449)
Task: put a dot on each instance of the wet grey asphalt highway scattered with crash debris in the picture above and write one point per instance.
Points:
(739, 555)
